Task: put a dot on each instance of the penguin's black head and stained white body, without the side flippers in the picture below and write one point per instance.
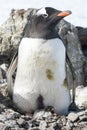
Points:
(41, 73)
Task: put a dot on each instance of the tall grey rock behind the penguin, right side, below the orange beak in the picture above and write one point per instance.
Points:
(69, 35)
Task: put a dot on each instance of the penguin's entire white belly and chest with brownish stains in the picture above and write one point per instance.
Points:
(41, 71)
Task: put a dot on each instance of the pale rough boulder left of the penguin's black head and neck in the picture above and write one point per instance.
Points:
(11, 33)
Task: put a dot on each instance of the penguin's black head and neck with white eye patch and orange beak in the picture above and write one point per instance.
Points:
(44, 21)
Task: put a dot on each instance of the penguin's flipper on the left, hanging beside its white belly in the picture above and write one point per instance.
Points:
(10, 72)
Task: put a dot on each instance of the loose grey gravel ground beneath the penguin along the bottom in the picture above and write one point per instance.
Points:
(12, 119)
